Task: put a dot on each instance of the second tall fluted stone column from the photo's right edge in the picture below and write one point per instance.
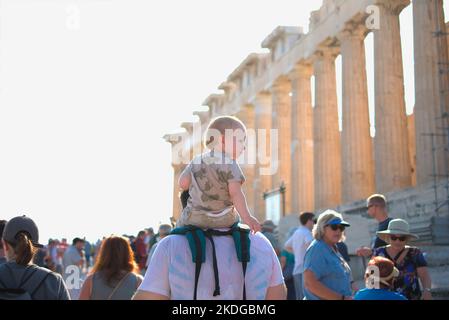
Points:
(393, 170)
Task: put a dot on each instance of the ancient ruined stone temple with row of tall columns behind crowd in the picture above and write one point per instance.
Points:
(320, 166)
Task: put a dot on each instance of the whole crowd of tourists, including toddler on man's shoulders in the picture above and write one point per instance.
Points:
(218, 250)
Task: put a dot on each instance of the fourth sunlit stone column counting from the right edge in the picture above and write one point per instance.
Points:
(326, 136)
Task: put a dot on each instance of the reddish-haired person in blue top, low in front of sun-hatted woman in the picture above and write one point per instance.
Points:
(380, 277)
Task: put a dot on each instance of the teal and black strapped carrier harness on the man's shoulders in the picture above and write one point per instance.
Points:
(197, 243)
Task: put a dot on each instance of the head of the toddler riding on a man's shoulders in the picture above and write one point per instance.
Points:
(227, 134)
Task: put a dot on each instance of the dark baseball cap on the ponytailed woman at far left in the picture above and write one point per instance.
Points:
(21, 224)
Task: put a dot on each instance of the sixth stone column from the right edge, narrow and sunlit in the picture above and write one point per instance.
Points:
(282, 121)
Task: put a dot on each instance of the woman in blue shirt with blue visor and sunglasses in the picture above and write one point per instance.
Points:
(327, 276)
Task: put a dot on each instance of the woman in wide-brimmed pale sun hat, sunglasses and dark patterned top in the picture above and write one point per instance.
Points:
(408, 260)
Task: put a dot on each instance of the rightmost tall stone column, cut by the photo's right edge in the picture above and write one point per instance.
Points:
(429, 106)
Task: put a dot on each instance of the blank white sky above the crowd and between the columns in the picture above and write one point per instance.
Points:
(83, 108)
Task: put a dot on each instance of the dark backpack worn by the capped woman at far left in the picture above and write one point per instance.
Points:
(27, 287)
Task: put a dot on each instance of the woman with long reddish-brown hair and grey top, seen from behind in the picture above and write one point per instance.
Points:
(115, 273)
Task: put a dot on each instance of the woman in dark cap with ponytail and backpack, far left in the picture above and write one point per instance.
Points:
(20, 279)
